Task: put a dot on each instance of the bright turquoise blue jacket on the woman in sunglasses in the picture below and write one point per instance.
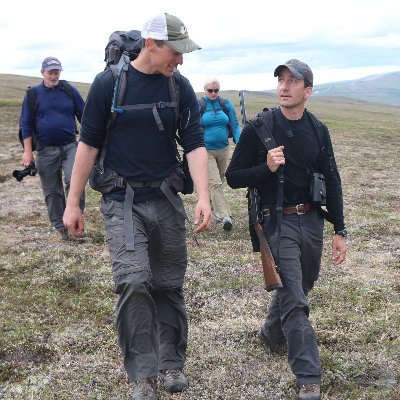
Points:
(215, 123)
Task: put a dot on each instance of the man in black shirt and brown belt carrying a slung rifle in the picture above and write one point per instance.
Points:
(303, 164)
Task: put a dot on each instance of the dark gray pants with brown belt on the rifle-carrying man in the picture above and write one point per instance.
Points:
(300, 251)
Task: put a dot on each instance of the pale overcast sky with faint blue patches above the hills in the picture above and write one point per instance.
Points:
(242, 41)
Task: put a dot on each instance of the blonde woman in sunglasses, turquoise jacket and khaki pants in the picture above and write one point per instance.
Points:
(219, 121)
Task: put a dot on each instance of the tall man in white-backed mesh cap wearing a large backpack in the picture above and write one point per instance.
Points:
(151, 317)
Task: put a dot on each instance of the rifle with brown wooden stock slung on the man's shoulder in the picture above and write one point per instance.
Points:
(271, 277)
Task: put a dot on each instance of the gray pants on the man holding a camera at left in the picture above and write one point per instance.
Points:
(51, 162)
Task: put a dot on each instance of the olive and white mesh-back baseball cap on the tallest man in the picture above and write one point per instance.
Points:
(171, 30)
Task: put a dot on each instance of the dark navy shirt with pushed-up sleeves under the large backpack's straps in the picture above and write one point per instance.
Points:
(137, 150)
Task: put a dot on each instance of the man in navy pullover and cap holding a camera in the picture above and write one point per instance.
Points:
(52, 122)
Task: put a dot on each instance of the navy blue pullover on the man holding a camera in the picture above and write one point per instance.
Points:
(55, 115)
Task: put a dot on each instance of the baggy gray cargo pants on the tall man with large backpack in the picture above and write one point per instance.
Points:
(150, 313)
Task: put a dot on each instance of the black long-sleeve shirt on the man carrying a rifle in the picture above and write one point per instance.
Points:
(304, 154)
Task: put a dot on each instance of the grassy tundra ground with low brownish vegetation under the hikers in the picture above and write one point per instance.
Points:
(57, 338)
